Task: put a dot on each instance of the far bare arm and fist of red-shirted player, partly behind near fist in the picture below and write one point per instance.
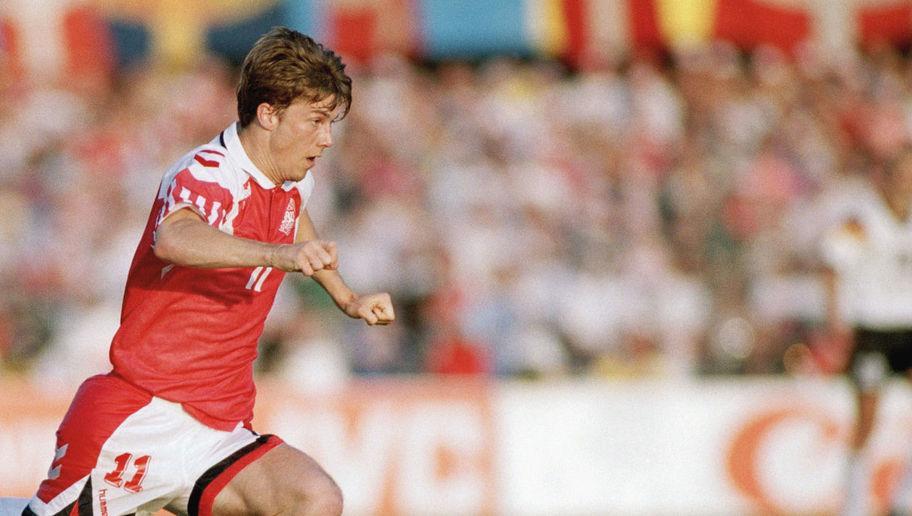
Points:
(374, 309)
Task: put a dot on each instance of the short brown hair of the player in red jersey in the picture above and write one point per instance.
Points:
(285, 65)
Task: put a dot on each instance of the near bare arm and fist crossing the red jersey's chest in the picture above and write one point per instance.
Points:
(185, 239)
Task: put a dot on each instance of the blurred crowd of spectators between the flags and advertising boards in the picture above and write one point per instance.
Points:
(649, 216)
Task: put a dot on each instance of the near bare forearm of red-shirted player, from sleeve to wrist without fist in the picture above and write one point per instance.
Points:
(193, 243)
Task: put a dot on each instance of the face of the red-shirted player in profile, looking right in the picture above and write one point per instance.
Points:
(303, 132)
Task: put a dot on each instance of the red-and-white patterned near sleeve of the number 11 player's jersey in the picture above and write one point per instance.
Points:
(204, 186)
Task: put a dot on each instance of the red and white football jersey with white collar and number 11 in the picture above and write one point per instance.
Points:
(189, 335)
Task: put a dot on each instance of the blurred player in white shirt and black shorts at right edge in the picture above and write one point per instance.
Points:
(869, 256)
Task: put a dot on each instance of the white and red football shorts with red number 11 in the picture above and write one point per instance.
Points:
(122, 451)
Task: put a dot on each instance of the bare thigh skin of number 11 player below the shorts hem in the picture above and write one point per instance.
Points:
(284, 480)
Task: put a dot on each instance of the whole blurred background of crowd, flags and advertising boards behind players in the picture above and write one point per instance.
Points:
(596, 218)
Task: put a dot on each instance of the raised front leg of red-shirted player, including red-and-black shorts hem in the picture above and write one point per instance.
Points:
(269, 477)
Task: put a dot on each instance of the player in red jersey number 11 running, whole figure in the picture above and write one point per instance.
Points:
(170, 425)
